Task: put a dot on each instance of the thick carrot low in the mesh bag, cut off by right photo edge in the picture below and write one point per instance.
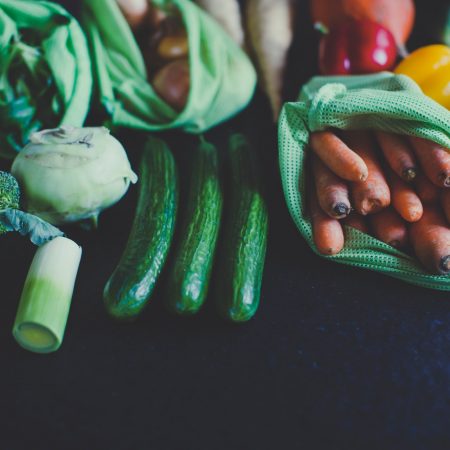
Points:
(430, 237)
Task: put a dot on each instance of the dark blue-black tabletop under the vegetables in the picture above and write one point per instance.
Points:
(336, 357)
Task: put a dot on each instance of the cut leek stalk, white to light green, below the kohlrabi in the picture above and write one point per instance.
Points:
(45, 302)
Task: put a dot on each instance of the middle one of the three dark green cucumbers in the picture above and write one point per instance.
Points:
(193, 257)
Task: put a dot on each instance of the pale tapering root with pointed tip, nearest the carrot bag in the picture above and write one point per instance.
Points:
(270, 31)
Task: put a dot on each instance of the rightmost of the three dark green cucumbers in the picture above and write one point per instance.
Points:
(244, 237)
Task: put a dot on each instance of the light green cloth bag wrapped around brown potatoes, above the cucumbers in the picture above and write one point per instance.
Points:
(222, 77)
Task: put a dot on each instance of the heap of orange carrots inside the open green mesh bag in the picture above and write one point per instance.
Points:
(398, 189)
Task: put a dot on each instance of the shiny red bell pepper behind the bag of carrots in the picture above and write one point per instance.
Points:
(357, 47)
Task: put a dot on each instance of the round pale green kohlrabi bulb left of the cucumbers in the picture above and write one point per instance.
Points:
(70, 174)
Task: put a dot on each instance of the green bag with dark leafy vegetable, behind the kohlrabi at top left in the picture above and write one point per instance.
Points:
(45, 71)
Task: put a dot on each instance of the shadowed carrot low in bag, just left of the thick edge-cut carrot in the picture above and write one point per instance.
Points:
(389, 227)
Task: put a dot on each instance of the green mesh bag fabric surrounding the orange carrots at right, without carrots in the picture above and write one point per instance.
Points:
(381, 102)
